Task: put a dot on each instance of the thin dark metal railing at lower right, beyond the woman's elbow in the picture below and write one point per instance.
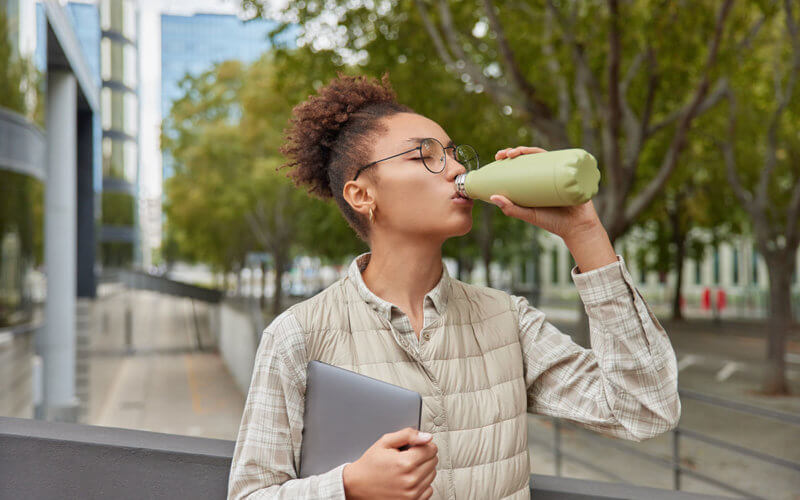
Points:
(678, 433)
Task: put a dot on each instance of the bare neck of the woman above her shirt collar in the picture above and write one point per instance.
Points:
(402, 271)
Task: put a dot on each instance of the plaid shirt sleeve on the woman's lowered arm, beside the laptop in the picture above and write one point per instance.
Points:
(267, 451)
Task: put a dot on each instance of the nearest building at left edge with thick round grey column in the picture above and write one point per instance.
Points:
(49, 105)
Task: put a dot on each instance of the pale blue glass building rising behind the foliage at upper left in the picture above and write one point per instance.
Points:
(192, 44)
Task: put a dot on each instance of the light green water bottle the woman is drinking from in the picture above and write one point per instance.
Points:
(559, 178)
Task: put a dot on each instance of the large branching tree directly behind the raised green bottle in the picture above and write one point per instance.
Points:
(580, 94)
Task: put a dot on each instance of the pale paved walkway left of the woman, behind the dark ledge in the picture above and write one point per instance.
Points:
(166, 385)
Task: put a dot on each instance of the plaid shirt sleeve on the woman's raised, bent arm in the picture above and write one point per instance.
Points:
(626, 385)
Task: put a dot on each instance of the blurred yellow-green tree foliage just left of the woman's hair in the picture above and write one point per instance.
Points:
(227, 196)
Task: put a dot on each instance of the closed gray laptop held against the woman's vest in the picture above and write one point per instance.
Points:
(346, 412)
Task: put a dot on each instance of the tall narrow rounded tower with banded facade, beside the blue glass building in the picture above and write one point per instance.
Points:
(119, 236)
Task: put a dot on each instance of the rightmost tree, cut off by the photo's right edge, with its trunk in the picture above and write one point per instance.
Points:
(764, 170)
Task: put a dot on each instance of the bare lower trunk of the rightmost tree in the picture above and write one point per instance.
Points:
(780, 266)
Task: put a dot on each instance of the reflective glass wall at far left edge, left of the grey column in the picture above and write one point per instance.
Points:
(22, 170)
